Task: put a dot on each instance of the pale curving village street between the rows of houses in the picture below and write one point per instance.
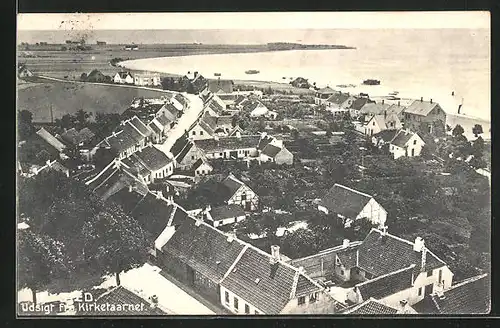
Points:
(191, 114)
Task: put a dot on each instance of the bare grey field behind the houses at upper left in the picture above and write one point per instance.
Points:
(68, 97)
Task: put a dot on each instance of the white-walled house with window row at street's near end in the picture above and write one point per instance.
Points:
(150, 164)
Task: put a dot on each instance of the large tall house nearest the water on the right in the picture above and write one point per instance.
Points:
(425, 116)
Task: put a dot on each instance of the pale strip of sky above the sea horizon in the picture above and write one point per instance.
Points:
(276, 20)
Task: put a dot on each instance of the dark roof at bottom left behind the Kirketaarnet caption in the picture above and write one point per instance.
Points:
(120, 296)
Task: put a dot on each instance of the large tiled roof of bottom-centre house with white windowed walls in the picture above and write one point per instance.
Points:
(266, 286)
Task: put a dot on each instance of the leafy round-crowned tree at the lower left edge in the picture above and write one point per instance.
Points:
(41, 259)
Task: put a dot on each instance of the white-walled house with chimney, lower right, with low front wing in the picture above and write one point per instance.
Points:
(392, 269)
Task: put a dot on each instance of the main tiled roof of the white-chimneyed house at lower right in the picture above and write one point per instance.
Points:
(382, 255)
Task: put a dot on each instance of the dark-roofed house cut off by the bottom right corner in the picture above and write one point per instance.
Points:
(470, 296)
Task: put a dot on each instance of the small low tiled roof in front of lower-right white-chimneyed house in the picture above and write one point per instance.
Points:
(384, 286)
